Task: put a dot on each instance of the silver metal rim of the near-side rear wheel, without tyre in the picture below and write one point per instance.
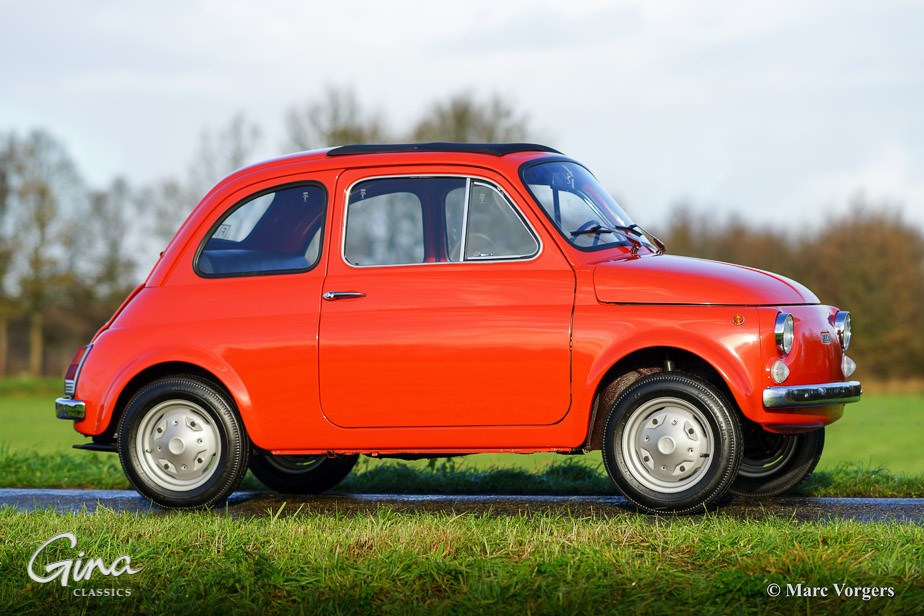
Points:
(179, 445)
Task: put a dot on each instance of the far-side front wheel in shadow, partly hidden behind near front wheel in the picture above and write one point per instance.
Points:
(774, 464)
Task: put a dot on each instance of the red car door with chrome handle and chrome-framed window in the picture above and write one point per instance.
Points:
(444, 307)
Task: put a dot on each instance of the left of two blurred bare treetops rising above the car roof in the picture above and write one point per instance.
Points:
(335, 119)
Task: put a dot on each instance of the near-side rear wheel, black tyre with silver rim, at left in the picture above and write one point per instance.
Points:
(182, 444)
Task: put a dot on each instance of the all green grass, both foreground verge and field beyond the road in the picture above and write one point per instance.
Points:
(388, 562)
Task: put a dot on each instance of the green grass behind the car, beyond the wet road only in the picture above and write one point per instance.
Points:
(873, 450)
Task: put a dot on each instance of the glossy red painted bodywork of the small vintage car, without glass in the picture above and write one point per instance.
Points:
(443, 357)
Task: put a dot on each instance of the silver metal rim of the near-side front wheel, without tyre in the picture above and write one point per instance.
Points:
(667, 445)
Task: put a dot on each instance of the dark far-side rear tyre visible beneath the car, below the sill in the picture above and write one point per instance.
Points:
(301, 474)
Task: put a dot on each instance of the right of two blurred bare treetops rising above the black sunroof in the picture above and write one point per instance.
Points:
(463, 118)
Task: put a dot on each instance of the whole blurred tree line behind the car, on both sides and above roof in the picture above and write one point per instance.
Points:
(70, 252)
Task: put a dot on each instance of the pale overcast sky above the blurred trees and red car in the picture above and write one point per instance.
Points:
(781, 112)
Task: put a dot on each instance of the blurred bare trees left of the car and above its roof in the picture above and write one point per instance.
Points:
(70, 252)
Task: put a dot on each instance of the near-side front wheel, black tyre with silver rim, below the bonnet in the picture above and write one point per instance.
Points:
(694, 450)
